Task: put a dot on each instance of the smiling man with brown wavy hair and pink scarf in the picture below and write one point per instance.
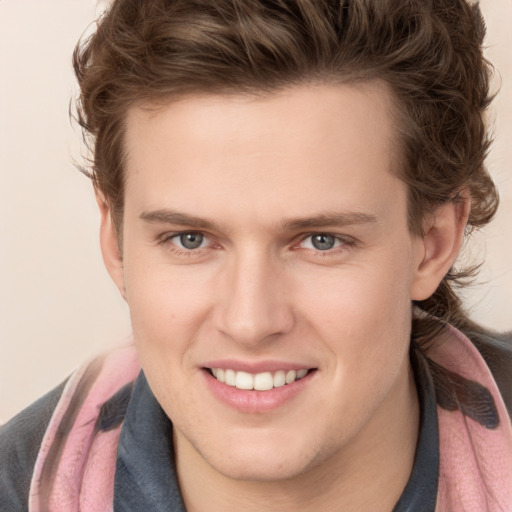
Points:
(284, 188)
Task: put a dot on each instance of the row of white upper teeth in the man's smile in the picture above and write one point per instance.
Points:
(261, 381)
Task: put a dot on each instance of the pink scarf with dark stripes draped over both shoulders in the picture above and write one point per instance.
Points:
(76, 464)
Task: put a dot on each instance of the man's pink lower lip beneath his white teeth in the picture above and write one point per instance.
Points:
(256, 401)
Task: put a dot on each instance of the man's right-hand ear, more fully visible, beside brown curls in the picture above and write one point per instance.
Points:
(437, 249)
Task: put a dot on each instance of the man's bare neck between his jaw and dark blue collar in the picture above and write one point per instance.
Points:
(369, 474)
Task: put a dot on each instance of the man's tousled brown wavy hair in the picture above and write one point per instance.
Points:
(429, 52)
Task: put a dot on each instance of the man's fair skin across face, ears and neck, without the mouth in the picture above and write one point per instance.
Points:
(261, 175)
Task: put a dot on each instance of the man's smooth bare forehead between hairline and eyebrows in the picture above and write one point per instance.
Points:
(292, 150)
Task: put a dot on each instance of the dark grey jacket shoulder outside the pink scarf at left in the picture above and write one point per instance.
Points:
(20, 440)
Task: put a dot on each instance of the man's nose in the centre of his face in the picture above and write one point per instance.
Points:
(253, 306)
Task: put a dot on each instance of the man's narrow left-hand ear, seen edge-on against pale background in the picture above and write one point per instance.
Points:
(109, 243)
